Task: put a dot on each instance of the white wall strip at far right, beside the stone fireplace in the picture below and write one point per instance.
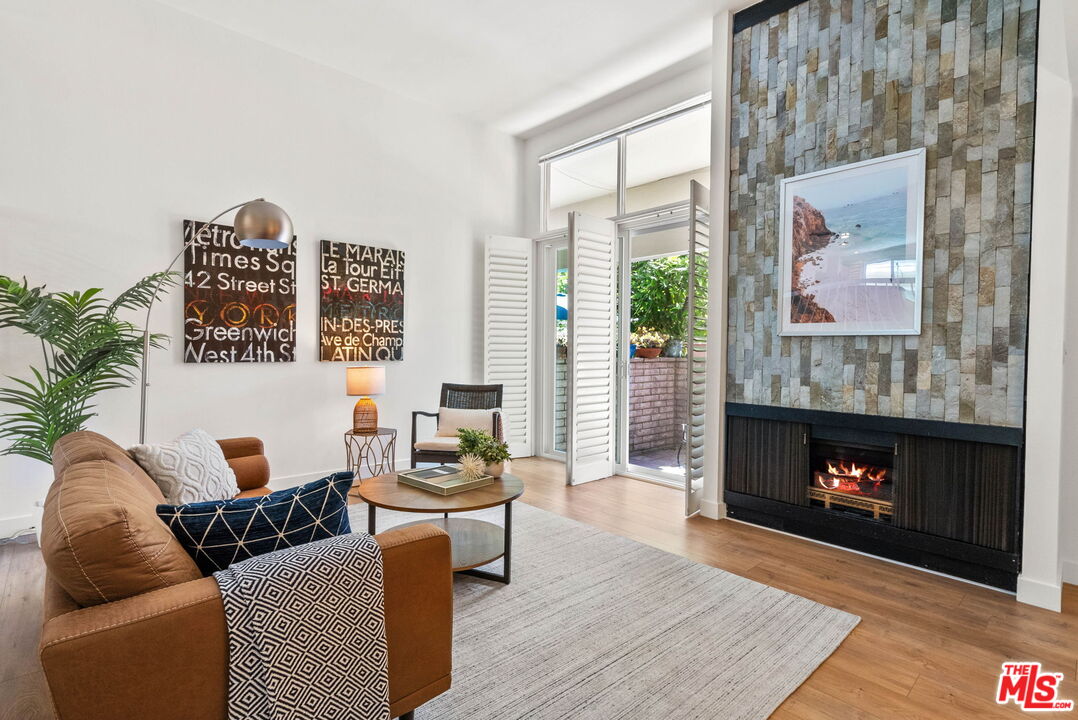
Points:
(1052, 392)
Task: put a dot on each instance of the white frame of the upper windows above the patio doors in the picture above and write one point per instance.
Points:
(621, 136)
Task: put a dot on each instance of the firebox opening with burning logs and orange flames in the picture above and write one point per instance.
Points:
(853, 478)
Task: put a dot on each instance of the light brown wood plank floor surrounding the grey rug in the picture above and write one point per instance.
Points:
(928, 647)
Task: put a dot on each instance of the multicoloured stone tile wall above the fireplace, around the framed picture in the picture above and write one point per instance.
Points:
(832, 82)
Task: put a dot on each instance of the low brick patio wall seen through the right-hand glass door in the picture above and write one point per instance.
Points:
(658, 398)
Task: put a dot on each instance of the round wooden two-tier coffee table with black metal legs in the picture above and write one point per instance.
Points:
(475, 543)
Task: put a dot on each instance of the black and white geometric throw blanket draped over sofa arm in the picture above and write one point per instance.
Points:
(308, 633)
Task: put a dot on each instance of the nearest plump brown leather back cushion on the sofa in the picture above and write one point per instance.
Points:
(101, 537)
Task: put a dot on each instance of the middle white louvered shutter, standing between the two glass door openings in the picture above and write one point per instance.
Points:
(593, 298)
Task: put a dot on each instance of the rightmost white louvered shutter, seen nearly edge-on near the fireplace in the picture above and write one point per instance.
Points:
(697, 362)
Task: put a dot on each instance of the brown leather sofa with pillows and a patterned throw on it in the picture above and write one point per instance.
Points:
(132, 630)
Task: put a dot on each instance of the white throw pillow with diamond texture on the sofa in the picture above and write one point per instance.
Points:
(190, 469)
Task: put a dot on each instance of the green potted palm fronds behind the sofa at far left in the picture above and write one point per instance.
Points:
(86, 349)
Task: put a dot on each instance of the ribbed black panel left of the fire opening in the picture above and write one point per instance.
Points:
(768, 459)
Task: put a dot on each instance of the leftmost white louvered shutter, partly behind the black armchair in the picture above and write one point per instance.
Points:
(508, 342)
